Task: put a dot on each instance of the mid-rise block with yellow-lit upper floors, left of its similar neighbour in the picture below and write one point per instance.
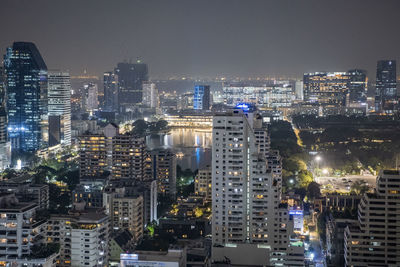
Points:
(92, 155)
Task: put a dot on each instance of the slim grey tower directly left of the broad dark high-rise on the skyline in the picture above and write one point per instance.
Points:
(110, 83)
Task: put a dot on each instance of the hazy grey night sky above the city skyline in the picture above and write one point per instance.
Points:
(207, 37)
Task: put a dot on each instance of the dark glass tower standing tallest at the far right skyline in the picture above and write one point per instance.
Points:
(386, 100)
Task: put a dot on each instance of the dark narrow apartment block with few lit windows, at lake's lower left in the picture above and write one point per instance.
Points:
(164, 171)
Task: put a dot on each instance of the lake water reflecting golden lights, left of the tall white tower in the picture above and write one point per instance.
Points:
(192, 146)
